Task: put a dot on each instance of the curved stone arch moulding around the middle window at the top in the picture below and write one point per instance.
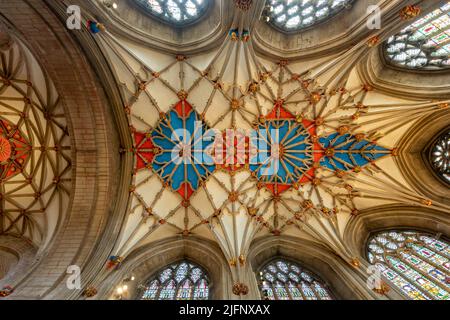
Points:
(327, 37)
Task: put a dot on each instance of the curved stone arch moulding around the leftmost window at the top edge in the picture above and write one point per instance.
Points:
(209, 30)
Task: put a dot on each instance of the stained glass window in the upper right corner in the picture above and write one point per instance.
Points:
(425, 44)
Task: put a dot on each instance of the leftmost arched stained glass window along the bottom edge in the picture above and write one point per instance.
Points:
(181, 281)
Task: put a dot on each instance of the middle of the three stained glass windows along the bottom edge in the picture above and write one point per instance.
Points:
(283, 280)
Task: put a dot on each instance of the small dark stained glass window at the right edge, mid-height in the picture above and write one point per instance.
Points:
(440, 156)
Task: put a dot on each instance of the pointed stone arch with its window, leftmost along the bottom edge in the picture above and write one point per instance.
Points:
(164, 258)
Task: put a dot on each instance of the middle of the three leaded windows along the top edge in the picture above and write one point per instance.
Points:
(294, 15)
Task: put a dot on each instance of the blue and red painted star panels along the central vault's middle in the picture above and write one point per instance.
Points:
(283, 153)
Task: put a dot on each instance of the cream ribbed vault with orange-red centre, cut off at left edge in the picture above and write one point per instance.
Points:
(35, 165)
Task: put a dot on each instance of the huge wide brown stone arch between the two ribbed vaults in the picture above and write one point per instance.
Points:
(92, 131)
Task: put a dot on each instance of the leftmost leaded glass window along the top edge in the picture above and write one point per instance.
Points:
(179, 12)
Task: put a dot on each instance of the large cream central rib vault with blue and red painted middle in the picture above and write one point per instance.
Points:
(334, 152)
